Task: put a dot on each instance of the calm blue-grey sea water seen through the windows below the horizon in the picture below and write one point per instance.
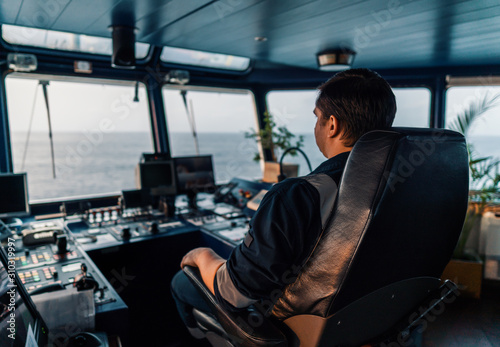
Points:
(86, 166)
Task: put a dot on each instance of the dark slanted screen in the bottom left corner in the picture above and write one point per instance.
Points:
(20, 322)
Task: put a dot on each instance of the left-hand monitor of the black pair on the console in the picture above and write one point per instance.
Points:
(158, 177)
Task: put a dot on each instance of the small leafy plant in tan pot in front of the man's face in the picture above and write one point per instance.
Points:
(275, 139)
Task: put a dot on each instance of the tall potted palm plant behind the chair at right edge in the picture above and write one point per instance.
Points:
(466, 267)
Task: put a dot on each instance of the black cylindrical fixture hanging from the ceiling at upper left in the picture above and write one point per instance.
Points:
(123, 47)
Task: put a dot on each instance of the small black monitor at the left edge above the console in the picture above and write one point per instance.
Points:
(14, 195)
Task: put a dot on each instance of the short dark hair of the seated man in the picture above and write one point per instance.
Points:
(361, 101)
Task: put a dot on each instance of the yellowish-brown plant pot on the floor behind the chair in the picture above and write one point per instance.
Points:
(467, 275)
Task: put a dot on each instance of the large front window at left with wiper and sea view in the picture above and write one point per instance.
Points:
(99, 134)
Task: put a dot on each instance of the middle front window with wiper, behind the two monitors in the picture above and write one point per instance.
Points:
(221, 119)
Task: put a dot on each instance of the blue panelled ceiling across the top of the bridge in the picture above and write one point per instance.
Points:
(416, 33)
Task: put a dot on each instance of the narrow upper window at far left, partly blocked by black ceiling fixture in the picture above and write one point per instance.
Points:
(64, 41)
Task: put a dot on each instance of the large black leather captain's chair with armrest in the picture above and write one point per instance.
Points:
(374, 275)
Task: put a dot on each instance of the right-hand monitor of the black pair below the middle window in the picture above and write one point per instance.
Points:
(194, 174)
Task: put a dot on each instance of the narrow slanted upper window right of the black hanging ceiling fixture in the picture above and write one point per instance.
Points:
(205, 59)
